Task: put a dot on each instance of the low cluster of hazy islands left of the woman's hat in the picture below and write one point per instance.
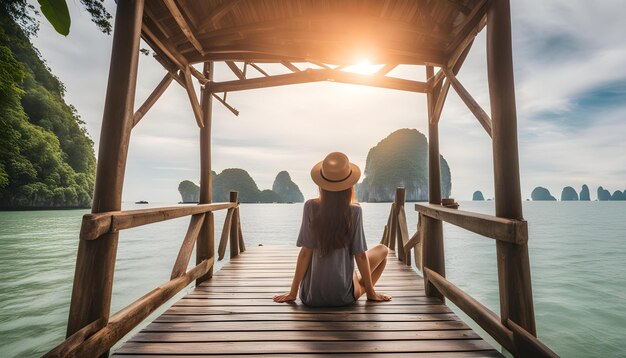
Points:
(284, 190)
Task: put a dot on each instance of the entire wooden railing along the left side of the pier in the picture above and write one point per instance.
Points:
(100, 335)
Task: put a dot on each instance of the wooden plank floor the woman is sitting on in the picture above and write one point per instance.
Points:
(233, 314)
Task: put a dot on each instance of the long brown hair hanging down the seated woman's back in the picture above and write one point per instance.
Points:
(332, 222)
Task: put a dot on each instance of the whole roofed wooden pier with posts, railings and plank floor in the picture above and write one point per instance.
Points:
(309, 41)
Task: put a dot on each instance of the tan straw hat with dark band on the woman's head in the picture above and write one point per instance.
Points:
(335, 172)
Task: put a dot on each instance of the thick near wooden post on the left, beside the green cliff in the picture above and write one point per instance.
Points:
(95, 261)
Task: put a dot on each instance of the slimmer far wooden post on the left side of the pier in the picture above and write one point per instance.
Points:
(205, 245)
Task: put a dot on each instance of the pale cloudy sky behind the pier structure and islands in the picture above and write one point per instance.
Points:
(570, 73)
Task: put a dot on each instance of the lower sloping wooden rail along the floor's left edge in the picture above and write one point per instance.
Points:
(127, 318)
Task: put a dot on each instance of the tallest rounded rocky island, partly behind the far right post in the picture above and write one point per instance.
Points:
(400, 159)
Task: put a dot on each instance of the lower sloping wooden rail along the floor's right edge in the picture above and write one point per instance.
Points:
(482, 315)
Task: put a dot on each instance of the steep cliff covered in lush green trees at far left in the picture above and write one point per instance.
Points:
(46, 157)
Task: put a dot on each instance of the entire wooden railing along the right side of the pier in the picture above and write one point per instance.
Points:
(509, 334)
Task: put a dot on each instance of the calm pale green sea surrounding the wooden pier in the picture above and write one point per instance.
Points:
(577, 254)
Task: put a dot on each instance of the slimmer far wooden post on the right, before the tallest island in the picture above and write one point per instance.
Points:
(432, 247)
